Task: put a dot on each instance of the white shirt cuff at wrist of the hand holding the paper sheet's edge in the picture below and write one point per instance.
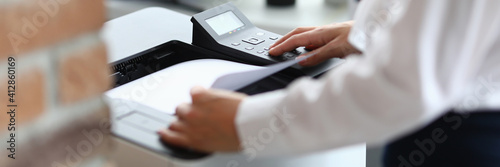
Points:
(259, 121)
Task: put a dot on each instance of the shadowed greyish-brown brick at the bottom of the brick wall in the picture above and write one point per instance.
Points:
(87, 136)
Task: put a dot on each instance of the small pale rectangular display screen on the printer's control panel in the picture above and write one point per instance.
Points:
(225, 22)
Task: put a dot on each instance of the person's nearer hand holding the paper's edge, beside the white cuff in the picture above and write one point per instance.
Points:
(208, 124)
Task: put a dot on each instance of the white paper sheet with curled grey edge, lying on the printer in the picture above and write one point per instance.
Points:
(167, 88)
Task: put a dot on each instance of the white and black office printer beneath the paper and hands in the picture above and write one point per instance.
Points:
(222, 33)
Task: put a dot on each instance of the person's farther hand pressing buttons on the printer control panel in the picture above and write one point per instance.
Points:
(327, 41)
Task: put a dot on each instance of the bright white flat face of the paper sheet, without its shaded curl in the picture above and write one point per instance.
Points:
(167, 88)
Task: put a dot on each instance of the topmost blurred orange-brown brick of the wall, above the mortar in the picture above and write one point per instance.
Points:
(73, 18)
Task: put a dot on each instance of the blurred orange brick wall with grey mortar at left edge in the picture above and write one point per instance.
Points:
(60, 73)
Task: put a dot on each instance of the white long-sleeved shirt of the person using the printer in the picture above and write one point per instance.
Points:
(413, 69)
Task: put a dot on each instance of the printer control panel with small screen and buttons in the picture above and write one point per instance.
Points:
(225, 29)
